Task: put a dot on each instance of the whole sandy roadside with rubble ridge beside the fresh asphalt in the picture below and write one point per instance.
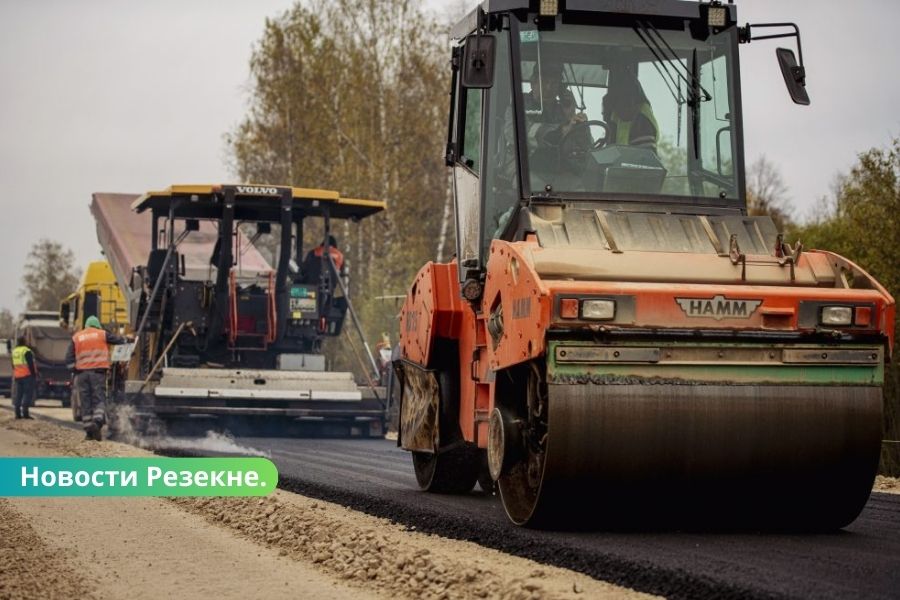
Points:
(283, 545)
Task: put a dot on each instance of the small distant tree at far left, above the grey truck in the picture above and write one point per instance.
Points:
(50, 275)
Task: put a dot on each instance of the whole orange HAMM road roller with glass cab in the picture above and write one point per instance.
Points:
(616, 340)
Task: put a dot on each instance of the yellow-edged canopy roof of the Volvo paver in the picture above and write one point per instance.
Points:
(254, 202)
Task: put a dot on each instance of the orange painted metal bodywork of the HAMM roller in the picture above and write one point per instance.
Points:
(515, 294)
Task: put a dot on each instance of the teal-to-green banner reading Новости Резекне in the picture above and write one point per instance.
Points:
(60, 477)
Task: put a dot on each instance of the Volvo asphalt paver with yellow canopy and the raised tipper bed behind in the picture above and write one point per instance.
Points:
(221, 333)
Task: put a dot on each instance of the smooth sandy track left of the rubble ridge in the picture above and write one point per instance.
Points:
(135, 547)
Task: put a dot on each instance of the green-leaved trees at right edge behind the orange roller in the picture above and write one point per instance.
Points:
(863, 224)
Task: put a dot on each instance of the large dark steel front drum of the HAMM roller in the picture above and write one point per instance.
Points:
(798, 457)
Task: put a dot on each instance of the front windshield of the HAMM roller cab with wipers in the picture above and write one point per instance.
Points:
(629, 110)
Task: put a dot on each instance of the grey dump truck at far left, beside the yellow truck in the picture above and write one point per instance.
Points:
(49, 342)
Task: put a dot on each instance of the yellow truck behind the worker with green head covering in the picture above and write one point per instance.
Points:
(98, 295)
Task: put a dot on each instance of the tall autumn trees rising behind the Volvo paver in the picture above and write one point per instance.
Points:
(351, 95)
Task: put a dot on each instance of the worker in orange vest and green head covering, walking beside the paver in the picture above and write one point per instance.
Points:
(89, 355)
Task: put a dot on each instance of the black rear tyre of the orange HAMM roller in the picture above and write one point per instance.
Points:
(453, 467)
